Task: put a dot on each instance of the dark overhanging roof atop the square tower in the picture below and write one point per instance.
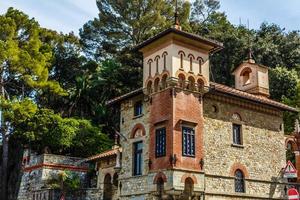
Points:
(217, 45)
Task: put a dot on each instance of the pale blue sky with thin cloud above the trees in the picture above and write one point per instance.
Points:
(70, 15)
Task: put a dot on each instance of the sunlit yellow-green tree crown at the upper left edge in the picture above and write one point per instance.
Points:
(24, 58)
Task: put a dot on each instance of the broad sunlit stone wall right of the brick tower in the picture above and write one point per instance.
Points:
(261, 156)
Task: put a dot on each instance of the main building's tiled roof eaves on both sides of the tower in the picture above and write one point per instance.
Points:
(223, 89)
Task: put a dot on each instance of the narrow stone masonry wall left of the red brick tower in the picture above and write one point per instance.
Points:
(133, 185)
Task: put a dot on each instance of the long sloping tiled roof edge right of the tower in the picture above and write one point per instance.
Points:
(238, 93)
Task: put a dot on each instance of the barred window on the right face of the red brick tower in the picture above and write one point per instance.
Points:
(188, 141)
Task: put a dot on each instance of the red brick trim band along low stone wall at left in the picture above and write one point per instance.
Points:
(55, 166)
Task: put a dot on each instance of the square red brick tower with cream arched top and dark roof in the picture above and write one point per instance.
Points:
(175, 77)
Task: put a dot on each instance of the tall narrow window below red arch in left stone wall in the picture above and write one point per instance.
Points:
(137, 158)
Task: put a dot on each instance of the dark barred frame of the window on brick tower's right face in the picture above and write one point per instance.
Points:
(192, 140)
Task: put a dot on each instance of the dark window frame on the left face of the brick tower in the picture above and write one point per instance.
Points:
(162, 136)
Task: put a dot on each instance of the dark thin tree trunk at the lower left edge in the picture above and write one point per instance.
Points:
(4, 164)
